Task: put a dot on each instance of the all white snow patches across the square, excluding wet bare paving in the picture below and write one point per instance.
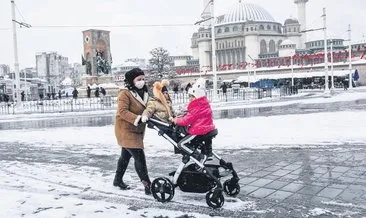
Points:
(69, 190)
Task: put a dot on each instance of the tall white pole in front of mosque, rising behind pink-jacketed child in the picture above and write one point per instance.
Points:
(214, 95)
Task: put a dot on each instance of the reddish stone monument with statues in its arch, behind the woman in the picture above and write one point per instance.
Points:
(97, 52)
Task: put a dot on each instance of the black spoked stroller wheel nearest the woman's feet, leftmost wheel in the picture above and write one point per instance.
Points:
(162, 189)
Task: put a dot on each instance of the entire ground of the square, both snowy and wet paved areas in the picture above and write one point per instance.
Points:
(298, 165)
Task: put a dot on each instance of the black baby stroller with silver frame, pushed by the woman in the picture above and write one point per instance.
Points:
(192, 175)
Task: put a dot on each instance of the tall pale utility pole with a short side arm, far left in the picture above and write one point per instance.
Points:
(16, 61)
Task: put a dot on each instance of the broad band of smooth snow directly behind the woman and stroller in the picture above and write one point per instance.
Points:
(254, 132)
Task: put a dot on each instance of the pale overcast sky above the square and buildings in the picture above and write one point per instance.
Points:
(137, 42)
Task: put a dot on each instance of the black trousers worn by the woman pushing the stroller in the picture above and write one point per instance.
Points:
(138, 155)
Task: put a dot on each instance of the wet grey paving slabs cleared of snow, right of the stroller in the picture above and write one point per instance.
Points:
(299, 182)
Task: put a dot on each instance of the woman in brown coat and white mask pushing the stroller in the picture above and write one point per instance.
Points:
(129, 130)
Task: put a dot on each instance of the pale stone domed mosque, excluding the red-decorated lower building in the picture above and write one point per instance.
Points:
(248, 32)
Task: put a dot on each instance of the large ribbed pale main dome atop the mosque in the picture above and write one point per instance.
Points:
(243, 12)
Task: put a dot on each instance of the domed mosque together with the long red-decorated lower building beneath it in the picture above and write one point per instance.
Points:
(252, 46)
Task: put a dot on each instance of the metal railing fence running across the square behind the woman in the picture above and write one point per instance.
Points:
(110, 103)
